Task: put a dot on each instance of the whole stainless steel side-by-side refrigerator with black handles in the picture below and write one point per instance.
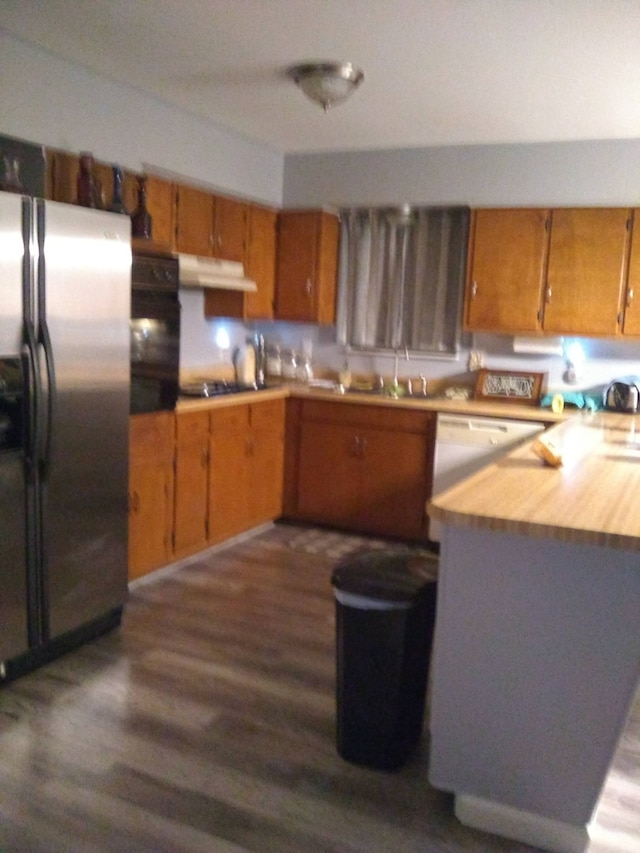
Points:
(65, 280)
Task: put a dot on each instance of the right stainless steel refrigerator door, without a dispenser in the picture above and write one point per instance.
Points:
(84, 309)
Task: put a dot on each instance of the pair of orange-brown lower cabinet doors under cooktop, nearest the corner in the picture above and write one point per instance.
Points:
(246, 451)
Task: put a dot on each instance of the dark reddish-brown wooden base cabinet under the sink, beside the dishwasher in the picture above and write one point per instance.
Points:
(365, 468)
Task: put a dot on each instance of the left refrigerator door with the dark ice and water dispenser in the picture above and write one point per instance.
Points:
(13, 573)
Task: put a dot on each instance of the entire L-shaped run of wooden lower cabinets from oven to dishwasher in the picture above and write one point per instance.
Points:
(200, 477)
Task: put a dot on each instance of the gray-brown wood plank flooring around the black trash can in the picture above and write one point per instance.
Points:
(206, 723)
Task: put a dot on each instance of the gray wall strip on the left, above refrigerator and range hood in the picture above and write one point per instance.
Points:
(44, 99)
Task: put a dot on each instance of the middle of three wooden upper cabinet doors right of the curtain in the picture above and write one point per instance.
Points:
(587, 266)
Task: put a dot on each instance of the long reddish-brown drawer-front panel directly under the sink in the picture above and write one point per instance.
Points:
(375, 417)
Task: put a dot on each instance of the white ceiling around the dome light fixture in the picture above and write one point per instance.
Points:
(437, 72)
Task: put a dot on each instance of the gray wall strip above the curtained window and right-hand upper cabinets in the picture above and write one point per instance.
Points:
(577, 173)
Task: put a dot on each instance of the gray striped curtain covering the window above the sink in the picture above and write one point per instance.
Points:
(401, 278)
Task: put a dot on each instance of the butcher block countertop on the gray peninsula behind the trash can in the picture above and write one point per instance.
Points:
(593, 498)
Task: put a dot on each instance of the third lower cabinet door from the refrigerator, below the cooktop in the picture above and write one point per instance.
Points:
(229, 478)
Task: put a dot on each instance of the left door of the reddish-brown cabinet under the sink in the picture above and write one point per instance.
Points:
(328, 474)
